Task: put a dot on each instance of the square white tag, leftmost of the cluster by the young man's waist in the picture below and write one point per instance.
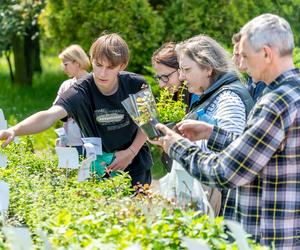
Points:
(67, 157)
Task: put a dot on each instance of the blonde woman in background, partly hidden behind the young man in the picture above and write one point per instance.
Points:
(75, 64)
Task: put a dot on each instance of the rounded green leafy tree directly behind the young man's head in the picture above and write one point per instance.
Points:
(81, 21)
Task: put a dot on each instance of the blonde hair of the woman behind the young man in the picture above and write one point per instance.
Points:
(77, 54)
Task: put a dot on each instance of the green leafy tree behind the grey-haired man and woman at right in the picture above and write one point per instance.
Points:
(221, 19)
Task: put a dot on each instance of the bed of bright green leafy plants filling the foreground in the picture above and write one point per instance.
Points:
(95, 214)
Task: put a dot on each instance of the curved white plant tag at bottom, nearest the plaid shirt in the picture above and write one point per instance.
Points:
(238, 233)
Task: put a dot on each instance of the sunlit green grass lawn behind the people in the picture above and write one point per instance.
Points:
(18, 102)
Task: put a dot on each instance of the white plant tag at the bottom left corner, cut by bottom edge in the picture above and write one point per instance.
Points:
(19, 237)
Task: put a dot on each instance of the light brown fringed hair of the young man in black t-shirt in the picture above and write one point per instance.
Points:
(110, 47)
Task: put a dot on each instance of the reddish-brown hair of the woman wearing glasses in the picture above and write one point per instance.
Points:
(166, 55)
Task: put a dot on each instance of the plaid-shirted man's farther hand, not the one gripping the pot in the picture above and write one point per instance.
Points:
(194, 130)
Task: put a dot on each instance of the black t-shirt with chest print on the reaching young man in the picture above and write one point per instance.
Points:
(104, 116)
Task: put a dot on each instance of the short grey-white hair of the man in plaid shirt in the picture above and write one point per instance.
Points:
(270, 30)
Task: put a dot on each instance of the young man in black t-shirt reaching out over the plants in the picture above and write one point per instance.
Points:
(94, 102)
